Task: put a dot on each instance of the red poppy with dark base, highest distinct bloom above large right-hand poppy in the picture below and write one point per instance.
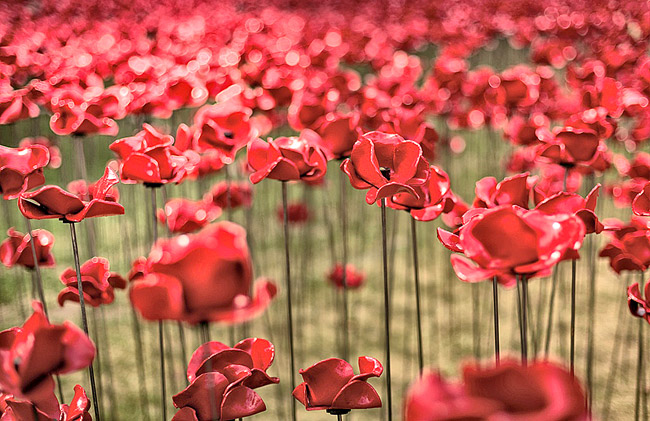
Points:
(569, 146)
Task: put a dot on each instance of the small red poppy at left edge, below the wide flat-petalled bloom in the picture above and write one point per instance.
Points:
(17, 249)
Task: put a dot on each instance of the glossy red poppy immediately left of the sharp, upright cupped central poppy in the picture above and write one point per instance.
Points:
(285, 159)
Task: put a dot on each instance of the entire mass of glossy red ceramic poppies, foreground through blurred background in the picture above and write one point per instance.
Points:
(292, 89)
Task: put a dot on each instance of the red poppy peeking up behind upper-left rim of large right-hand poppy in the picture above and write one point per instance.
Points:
(515, 190)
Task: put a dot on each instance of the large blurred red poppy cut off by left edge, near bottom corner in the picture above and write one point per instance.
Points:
(31, 354)
